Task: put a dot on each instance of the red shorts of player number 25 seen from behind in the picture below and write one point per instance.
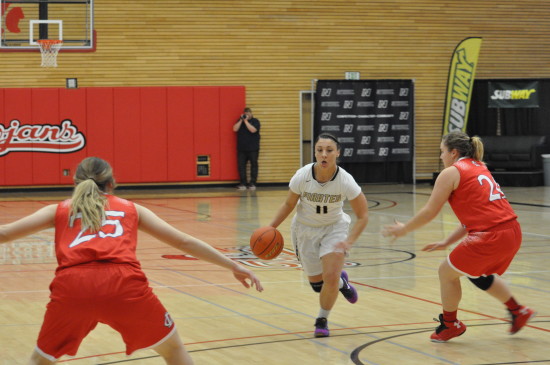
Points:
(114, 294)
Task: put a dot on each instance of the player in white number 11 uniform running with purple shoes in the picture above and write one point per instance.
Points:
(320, 226)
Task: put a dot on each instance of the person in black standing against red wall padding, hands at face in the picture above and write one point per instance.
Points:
(248, 148)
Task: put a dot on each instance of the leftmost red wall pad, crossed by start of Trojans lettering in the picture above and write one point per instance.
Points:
(18, 165)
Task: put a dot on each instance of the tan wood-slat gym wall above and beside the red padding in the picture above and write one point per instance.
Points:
(276, 48)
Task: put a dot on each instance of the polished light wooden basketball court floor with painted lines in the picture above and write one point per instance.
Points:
(223, 323)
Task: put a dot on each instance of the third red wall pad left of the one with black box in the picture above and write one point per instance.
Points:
(127, 134)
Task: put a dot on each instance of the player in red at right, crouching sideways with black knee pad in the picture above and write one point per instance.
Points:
(493, 235)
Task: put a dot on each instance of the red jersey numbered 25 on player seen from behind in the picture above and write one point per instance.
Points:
(115, 242)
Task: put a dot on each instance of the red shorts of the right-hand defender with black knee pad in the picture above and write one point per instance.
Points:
(487, 253)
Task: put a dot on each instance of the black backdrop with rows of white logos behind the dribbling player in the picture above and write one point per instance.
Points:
(374, 122)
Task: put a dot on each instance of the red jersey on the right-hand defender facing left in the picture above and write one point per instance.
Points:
(478, 202)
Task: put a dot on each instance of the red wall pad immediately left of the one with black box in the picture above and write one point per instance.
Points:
(180, 130)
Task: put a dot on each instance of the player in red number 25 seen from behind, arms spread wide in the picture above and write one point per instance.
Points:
(99, 278)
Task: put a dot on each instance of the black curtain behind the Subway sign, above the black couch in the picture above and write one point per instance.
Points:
(483, 121)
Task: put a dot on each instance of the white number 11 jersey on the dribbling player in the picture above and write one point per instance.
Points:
(321, 204)
